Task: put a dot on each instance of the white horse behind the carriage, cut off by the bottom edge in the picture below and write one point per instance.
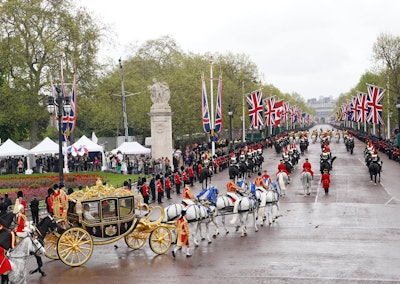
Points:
(19, 258)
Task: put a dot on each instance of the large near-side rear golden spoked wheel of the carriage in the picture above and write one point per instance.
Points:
(75, 246)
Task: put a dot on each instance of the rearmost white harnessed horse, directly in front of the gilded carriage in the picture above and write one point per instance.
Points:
(196, 214)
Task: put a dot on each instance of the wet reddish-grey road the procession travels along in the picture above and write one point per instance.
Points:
(350, 236)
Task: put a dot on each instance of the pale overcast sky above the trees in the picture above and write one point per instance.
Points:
(312, 47)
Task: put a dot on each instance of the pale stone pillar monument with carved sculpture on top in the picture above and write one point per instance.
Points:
(161, 121)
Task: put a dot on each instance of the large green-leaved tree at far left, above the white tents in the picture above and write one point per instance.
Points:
(33, 35)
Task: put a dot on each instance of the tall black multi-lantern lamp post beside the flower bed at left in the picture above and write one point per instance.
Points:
(60, 104)
